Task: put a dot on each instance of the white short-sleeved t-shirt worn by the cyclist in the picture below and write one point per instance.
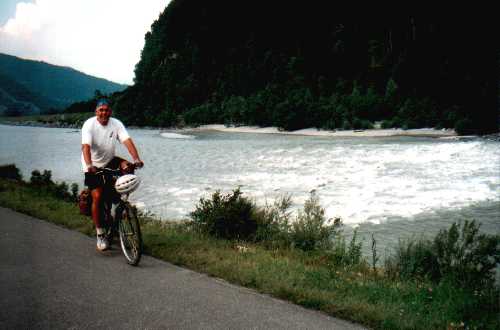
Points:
(102, 140)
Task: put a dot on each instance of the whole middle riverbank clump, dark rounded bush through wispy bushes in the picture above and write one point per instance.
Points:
(232, 216)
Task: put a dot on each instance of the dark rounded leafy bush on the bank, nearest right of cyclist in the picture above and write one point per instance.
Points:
(226, 216)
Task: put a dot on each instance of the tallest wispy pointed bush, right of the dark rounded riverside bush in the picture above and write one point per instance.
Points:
(311, 230)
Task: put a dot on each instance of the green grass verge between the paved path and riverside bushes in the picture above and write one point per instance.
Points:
(305, 278)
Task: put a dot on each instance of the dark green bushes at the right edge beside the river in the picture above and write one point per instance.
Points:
(459, 254)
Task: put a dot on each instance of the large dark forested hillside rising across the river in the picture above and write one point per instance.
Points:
(306, 64)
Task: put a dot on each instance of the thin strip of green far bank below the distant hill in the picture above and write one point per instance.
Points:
(68, 119)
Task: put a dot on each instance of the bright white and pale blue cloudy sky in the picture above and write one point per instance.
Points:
(102, 38)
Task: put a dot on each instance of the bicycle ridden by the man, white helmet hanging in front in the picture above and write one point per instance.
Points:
(124, 222)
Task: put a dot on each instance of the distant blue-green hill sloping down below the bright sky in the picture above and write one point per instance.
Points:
(28, 86)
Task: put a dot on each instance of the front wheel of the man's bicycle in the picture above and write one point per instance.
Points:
(130, 235)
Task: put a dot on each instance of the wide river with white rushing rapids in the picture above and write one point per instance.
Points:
(389, 186)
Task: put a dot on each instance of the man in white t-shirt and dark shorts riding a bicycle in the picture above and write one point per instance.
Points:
(99, 137)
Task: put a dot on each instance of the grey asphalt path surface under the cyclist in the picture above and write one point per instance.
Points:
(53, 278)
